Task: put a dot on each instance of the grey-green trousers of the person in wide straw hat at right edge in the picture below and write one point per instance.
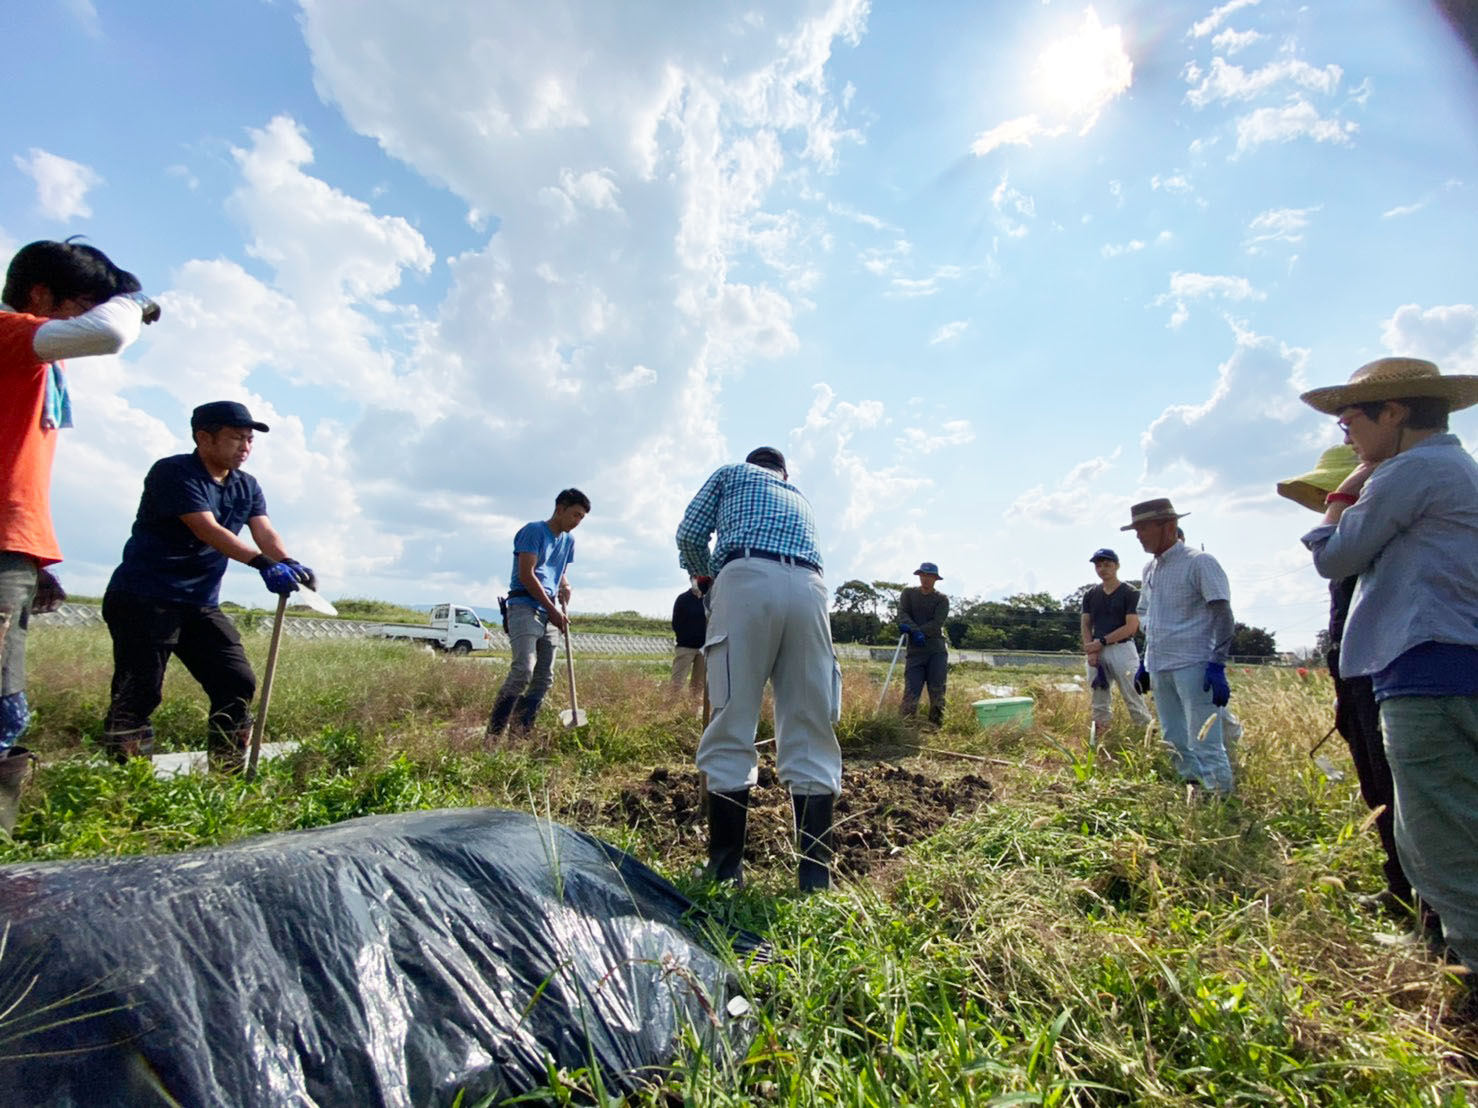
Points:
(1433, 747)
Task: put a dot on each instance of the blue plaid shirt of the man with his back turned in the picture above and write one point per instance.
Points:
(752, 507)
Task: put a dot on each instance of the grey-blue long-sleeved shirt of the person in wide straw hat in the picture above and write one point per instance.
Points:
(1414, 540)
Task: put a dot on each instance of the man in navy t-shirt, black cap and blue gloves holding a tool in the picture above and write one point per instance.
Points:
(163, 598)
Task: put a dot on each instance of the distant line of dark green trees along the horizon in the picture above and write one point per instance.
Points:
(867, 612)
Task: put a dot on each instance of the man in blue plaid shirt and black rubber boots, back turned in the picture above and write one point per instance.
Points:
(768, 623)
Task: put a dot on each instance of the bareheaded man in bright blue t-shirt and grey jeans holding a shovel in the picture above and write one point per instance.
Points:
(539, 595)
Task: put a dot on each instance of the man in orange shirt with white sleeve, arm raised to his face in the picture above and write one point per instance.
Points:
(61, 301)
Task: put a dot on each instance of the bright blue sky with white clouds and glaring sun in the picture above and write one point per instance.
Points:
(988, 274)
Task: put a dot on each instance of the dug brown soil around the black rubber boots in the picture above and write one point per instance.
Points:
(883, 809)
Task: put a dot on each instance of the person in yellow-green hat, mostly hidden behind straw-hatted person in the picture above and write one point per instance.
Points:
(1358, 716)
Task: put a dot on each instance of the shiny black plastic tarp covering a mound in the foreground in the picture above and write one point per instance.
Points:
(388, 961)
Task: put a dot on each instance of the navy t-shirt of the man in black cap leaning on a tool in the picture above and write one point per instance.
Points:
(163, 559)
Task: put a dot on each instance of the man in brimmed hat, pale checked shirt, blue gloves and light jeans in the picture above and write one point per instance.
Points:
(1186, 612)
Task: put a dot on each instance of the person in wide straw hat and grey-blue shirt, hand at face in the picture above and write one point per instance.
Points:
(1406, 524)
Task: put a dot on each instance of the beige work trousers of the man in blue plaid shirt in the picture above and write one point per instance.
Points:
(769, 621)
